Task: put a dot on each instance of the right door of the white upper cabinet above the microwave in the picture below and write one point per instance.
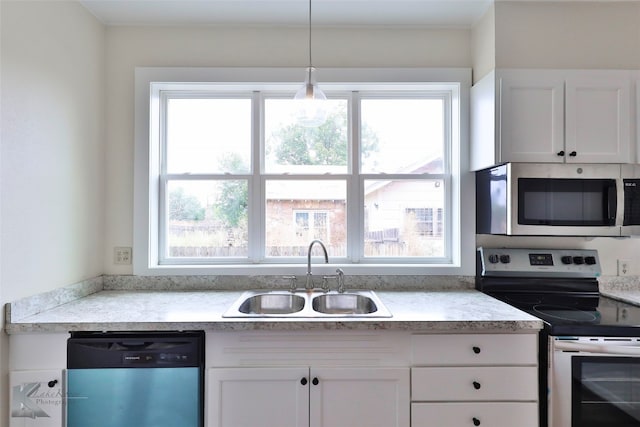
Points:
(598, 119)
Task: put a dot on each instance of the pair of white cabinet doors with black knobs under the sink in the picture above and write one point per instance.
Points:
(309, 397)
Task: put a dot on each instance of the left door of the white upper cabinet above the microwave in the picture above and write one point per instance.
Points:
(532, 118)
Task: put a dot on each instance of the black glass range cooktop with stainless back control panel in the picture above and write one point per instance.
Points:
(558, 286)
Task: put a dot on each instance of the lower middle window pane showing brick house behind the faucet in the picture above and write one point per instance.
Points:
(298, 212)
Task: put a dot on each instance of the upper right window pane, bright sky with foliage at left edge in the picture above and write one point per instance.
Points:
(402, 135)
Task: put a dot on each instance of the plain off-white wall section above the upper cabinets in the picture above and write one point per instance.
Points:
(567, 34)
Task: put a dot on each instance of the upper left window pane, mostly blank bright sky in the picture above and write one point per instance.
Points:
(208, 135)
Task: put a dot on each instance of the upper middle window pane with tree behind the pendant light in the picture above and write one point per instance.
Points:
(293, 148)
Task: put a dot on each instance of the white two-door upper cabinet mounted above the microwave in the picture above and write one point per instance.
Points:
(552, 116)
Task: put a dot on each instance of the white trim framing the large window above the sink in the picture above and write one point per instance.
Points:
(462, 219)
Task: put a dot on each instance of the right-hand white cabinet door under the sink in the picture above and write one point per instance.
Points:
(348, 397)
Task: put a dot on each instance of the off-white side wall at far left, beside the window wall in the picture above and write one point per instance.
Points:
(52, 151)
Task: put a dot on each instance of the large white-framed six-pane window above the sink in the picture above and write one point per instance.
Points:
(231, 178)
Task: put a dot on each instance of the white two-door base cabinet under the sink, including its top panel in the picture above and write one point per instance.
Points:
(308, 378)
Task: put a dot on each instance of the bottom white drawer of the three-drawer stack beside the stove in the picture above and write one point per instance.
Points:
(474, 414)
